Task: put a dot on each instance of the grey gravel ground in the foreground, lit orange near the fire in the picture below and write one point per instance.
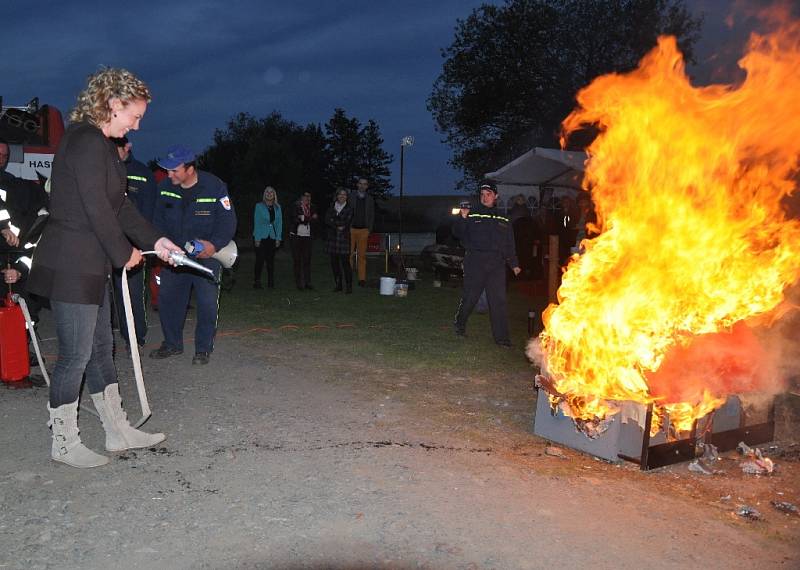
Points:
(281, 458)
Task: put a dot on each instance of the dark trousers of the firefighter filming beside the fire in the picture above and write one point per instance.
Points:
(485, 270)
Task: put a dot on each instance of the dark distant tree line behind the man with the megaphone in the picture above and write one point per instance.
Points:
(250, 153)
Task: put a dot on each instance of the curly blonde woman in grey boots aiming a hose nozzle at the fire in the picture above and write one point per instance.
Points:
(90, 230)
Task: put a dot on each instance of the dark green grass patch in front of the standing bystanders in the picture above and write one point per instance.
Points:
(412, 333)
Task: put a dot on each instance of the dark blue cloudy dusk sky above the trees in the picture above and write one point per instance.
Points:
(206, 61)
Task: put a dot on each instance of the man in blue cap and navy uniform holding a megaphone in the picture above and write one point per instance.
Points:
(192, 207)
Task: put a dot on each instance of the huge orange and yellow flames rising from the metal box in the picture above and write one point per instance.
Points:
(695, 244)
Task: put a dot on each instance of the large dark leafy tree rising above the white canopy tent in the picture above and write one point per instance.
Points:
(512, 72)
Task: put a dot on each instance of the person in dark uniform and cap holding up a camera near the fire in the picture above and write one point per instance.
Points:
(488, 239)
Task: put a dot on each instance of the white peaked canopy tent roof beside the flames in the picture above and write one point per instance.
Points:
(540, 174)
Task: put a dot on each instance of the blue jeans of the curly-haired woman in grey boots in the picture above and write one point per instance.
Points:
(85, 346)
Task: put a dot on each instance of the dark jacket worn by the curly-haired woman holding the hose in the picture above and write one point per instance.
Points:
(91, 221)
